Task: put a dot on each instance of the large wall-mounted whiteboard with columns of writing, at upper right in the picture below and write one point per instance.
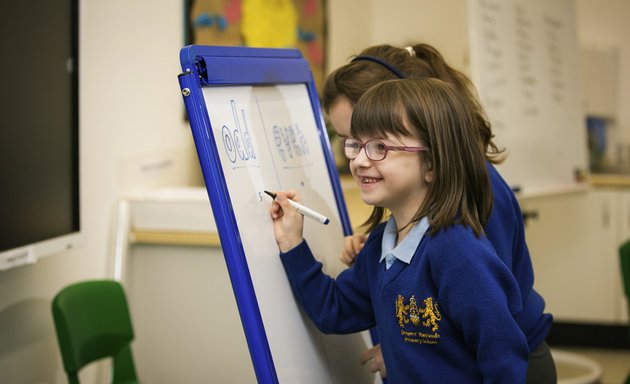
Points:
(524, 65)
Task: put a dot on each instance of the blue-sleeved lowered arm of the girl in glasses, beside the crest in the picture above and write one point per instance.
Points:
(481, 298)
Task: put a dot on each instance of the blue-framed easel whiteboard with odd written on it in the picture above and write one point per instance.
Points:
(256, 135)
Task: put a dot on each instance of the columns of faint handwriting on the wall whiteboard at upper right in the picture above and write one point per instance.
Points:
(523, 45)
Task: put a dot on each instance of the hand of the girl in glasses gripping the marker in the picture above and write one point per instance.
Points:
(288, 224)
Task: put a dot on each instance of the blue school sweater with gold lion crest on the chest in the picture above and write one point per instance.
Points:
(446, 317)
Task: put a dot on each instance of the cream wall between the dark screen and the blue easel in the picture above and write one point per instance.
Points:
(132, 136)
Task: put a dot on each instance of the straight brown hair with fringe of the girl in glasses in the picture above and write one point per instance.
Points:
(445, 121)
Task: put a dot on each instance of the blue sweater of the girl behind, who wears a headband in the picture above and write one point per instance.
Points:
(506, 232)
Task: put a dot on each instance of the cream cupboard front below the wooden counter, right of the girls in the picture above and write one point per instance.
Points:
(572, 246)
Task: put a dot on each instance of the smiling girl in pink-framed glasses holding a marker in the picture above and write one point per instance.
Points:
(443, 302)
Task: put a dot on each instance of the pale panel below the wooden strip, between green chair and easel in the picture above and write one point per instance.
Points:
(181, 299)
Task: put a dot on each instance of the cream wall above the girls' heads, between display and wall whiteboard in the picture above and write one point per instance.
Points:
(360, 23)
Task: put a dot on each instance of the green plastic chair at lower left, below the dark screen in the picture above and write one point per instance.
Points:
(92, 322)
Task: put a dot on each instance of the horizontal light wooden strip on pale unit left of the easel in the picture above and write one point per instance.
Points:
(174, 238)
